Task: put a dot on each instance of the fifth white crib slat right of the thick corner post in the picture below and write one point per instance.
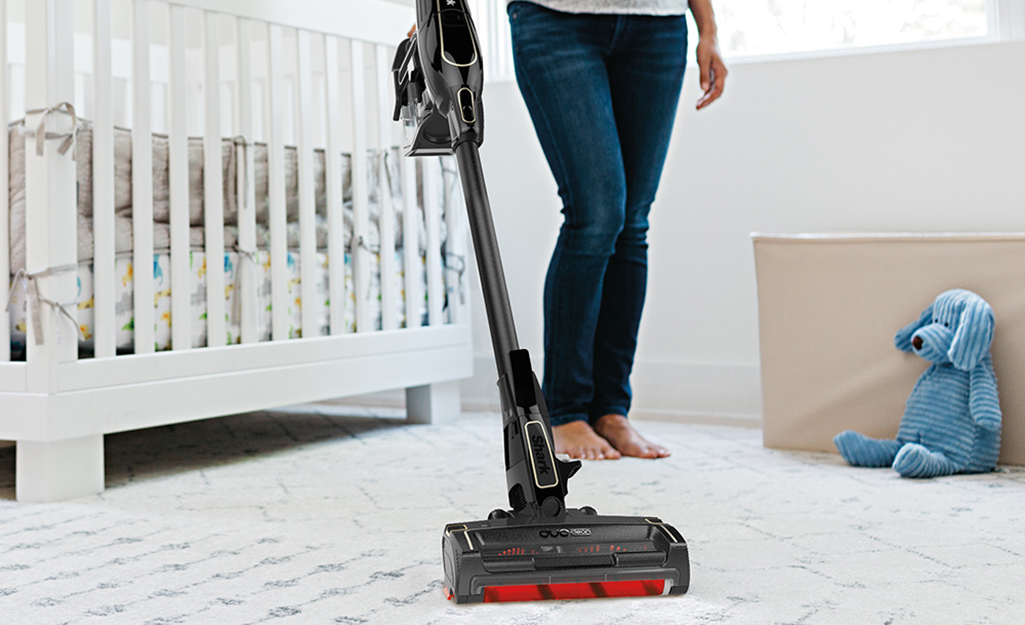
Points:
(248, 190)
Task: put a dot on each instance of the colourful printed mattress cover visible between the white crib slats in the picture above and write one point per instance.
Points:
(125, 304)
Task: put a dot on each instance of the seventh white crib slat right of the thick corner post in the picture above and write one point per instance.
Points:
(308, 206)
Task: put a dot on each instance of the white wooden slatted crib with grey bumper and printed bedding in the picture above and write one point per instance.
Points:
(303, 92)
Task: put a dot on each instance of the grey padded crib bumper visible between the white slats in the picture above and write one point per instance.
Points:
(233, 158)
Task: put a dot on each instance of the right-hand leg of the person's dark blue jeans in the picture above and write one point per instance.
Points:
(646, 73)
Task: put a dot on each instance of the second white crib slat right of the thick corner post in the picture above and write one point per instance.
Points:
(142, 182)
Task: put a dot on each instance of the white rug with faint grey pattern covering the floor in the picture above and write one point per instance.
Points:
(304, 518)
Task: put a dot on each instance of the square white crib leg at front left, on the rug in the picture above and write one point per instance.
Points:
(57, 471)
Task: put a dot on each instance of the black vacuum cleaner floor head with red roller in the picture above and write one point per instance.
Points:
(579, 556)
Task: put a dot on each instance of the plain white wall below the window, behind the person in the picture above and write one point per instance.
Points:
(916, 141)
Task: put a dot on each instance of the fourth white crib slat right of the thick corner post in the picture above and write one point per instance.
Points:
(214, 187)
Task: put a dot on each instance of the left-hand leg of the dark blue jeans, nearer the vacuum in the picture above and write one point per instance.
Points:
(561, 71)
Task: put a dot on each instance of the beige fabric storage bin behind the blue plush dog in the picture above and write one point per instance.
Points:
(830, 307)
